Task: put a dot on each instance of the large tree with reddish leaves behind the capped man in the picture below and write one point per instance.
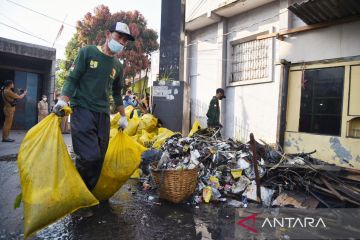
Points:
(91, 29)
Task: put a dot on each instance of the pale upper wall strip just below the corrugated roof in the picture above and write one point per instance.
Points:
(333, 42)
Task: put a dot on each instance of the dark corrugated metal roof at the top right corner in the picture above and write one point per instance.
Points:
(317, 11)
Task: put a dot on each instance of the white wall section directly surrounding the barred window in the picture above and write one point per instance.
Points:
(254, 107)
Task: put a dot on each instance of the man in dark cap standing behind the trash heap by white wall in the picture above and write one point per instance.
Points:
(213, 113)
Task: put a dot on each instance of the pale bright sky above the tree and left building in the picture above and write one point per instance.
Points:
(45, 29)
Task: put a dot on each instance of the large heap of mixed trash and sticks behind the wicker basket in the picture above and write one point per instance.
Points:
(228, 173)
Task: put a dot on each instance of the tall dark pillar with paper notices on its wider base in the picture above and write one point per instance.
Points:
(170, 94)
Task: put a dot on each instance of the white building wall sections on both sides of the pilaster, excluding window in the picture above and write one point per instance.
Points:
(247, 108)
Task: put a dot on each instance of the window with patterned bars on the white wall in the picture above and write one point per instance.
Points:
(250, 60)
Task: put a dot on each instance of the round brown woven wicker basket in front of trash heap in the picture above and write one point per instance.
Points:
(174, 185)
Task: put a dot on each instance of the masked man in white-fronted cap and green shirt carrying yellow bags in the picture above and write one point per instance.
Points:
(95, 74)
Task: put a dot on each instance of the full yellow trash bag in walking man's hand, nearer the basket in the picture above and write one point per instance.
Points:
(122, 158)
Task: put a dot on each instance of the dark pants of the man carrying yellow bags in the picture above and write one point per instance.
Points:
(90, 137)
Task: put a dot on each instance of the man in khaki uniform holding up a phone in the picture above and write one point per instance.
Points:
(9, 98)
